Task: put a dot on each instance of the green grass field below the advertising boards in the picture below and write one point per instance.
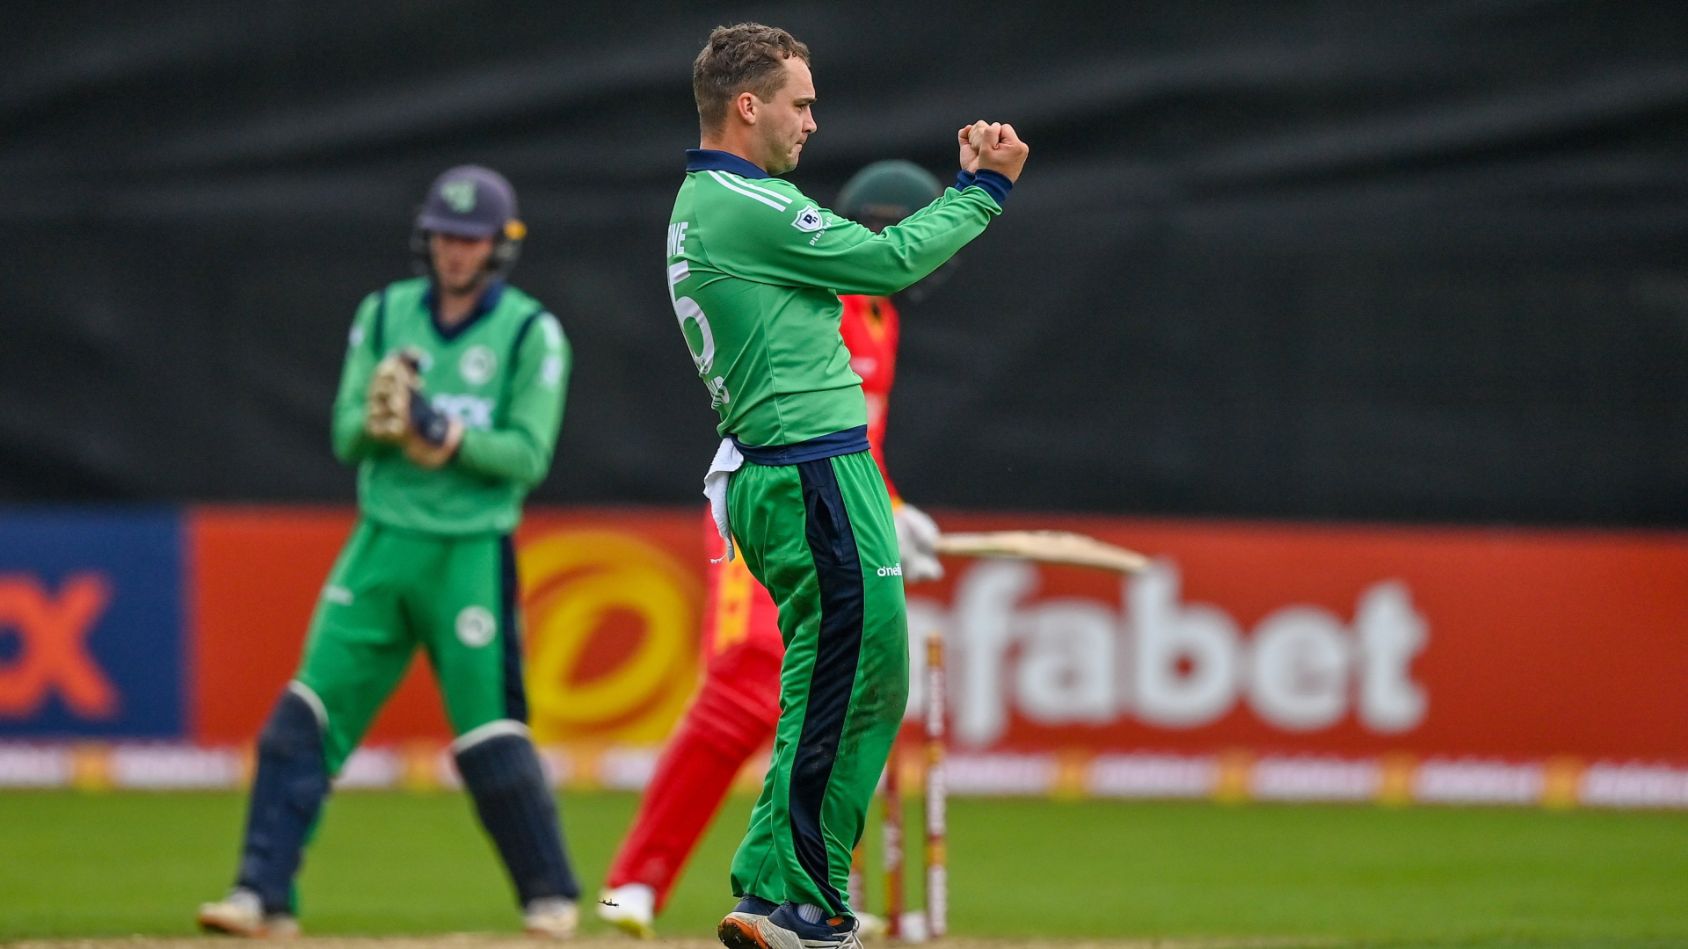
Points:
(95, 865)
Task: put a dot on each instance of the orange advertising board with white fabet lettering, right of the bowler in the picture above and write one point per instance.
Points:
(1324, 641)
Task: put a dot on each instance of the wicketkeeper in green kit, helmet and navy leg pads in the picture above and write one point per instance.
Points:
(450, 408)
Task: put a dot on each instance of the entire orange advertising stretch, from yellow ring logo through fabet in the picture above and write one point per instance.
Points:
(1274, 639)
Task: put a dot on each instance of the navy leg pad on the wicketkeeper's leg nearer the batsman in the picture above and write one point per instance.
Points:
(514, 801)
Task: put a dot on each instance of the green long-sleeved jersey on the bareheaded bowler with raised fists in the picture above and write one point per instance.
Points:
(755, 273)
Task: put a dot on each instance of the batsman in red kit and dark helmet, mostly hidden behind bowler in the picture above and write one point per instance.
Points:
(738, 707)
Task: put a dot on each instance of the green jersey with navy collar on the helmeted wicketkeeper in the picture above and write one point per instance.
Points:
(502, 372)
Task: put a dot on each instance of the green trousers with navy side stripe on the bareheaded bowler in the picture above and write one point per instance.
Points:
(820, 536)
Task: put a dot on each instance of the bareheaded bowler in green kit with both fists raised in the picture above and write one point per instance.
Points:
(755, 273)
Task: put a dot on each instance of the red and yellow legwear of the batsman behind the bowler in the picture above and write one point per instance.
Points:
(732, 719)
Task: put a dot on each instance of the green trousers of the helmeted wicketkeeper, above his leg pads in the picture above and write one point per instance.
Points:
(396, 592)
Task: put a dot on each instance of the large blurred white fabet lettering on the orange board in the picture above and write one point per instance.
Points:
(1171, 664)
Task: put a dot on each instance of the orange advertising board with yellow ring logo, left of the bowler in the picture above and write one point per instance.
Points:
(610, 605)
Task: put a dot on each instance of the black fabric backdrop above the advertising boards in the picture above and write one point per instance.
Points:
(1306, 259)
